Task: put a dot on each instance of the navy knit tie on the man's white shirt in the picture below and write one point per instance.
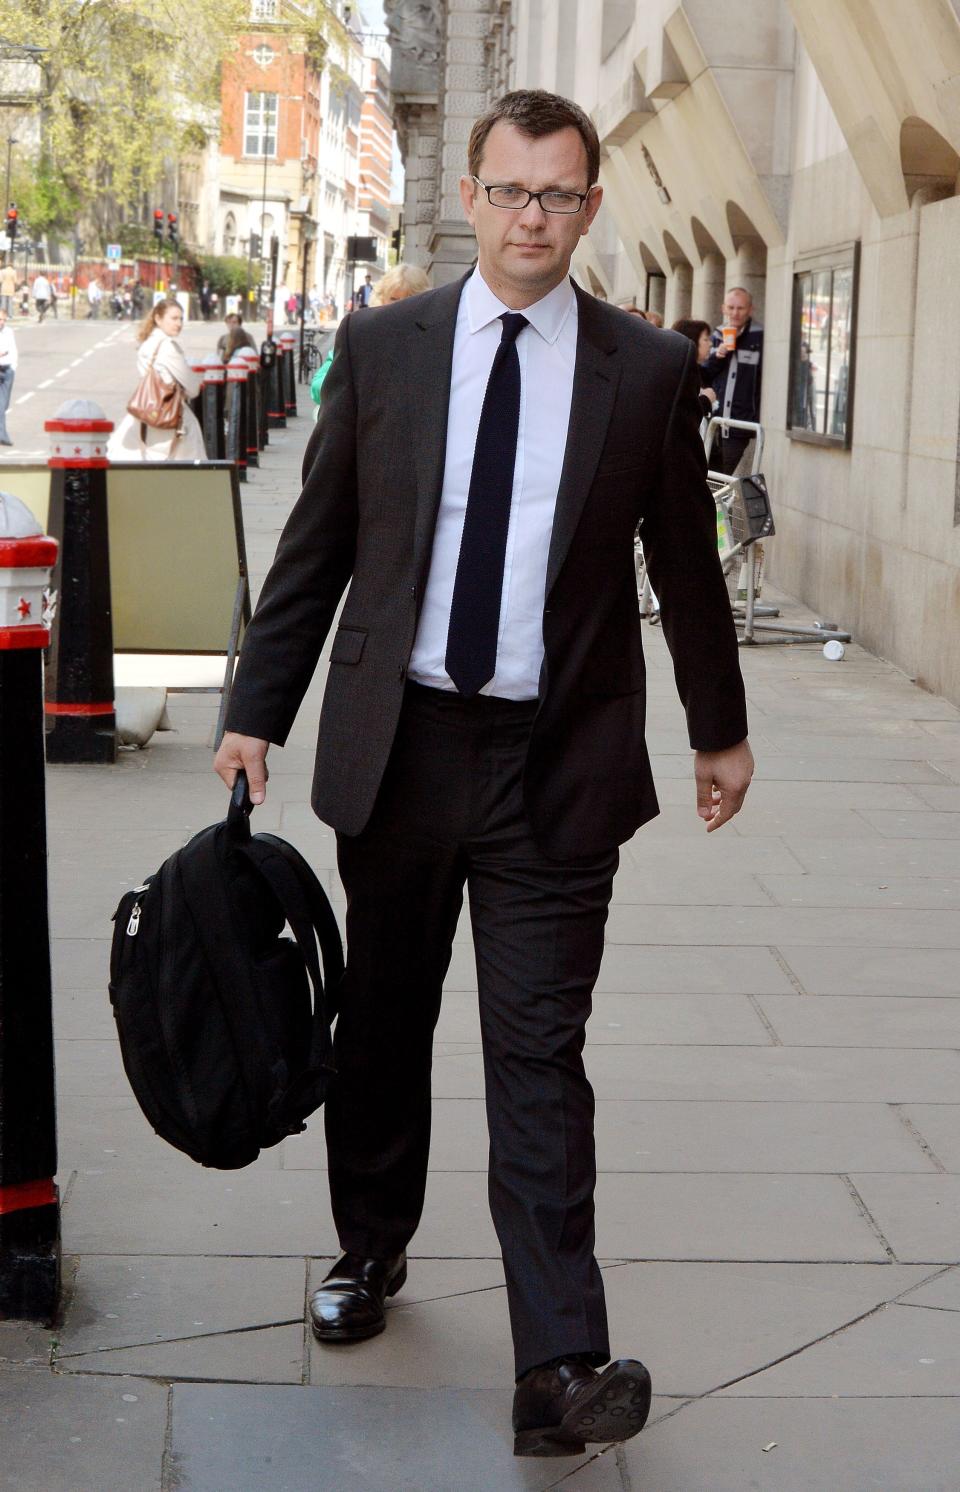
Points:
(476, 612)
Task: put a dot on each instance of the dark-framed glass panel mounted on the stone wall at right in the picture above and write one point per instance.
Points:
(823, 338)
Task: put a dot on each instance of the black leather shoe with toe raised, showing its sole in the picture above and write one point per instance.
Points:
(564, 1405)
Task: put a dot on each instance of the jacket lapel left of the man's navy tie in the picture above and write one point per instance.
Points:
(432, 354)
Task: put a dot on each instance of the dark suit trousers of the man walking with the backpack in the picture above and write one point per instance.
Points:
(450, 814)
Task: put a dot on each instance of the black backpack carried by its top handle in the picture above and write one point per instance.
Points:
(223, 1048)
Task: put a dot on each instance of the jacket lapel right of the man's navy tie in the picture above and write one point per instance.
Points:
(596, 377)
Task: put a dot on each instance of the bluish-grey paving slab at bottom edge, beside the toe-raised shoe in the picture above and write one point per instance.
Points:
(361, 1441)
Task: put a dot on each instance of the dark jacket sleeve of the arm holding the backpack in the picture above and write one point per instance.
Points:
(313, 566)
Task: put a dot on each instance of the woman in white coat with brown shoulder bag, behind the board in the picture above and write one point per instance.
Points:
(134, 441)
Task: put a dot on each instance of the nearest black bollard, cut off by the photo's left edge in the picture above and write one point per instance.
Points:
(29, 1199)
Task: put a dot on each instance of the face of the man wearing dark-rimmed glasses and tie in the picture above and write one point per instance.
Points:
(523, 254)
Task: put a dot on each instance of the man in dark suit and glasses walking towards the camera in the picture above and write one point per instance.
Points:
(483, 459)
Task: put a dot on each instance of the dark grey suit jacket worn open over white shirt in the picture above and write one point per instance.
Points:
(367, 518)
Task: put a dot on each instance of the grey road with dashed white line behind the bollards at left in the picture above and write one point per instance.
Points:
(65, 359)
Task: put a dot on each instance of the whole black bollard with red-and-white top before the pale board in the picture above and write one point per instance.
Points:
(80, 669)
